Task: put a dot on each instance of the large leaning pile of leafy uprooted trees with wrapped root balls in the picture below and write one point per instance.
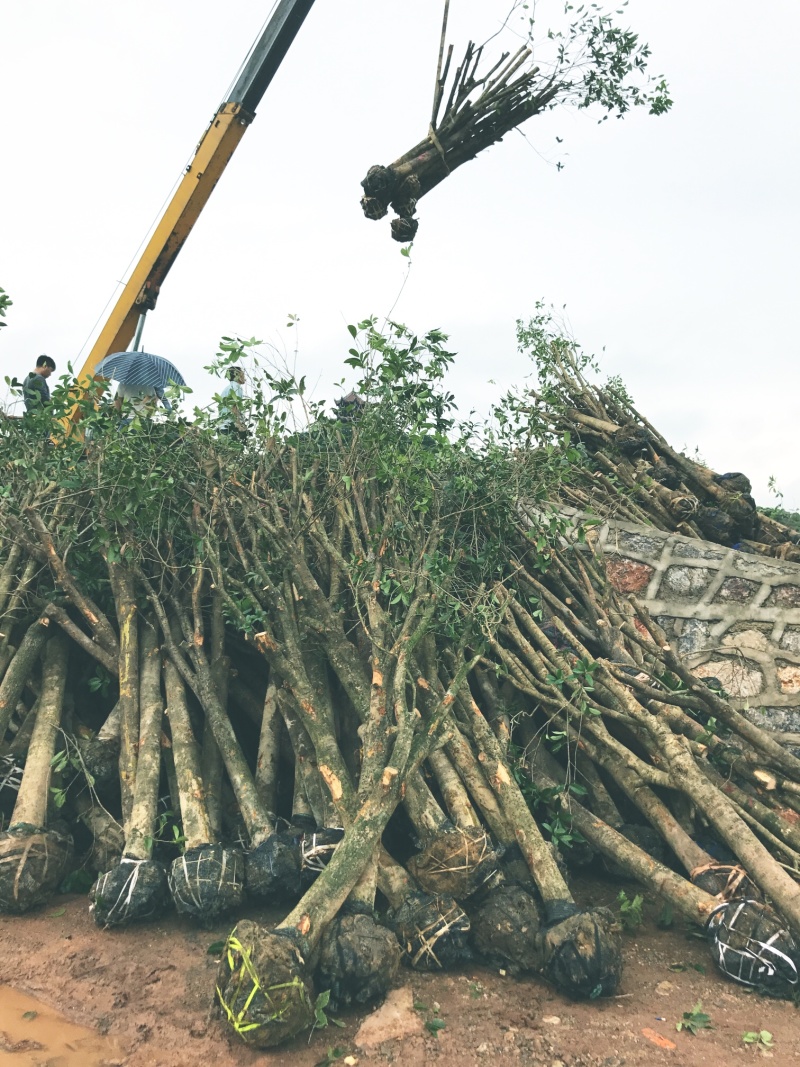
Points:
(371, 640)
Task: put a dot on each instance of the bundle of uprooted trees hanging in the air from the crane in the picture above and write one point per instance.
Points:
(574, 56)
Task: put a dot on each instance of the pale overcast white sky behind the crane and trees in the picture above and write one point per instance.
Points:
(673, 242)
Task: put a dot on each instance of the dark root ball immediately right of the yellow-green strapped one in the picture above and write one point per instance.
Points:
(359, 960)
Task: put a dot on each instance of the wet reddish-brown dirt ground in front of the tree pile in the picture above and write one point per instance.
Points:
(150, 990)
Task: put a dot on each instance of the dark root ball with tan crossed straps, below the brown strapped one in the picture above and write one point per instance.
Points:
(434, 932)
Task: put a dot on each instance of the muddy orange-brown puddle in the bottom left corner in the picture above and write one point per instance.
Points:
(34, 1036)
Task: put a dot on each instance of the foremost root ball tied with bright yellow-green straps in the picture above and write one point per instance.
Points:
(263, 989)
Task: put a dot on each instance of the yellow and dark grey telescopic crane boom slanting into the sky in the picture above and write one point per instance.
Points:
(213, 154)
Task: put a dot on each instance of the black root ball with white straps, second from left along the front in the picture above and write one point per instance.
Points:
(131, 893)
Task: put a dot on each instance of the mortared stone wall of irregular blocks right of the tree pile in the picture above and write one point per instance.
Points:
(731, 615)
